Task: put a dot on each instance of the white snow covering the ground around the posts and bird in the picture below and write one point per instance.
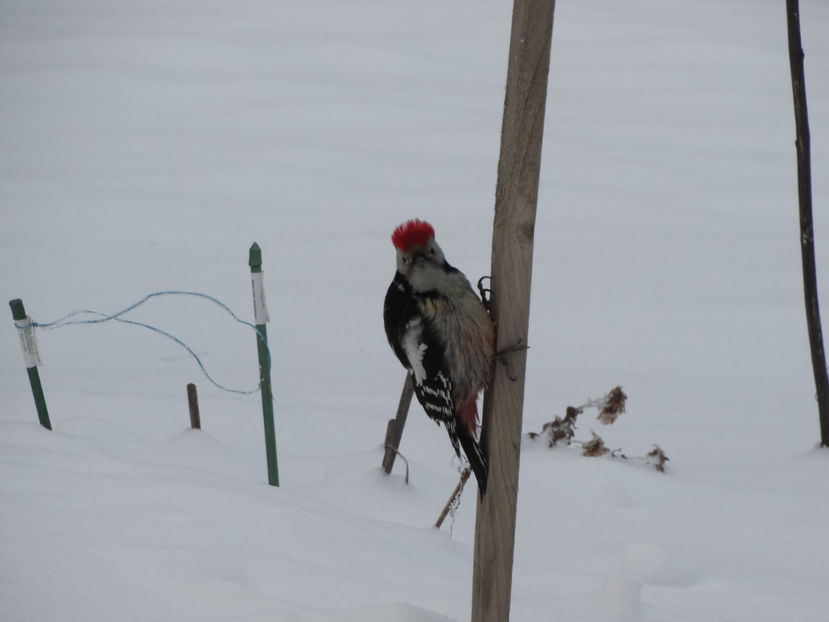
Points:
(147, 144)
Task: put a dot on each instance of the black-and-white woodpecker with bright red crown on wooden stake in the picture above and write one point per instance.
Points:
(442, 333)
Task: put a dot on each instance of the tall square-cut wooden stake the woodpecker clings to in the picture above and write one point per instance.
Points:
(516, 197)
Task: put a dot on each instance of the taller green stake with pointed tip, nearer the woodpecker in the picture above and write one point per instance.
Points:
(260, 314)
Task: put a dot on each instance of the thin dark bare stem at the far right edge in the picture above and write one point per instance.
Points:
(807, 237)
